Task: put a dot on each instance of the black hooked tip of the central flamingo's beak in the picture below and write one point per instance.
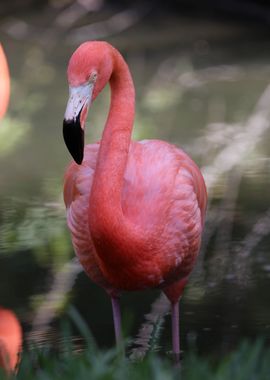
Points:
(74, 138)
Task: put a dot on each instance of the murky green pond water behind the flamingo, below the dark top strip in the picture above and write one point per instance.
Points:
(216, 108)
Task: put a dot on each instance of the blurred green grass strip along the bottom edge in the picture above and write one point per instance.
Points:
(248, 362)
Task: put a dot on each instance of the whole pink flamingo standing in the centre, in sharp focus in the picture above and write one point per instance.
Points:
(135, 209)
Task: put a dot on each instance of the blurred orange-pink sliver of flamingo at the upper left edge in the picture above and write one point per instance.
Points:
(4, 83)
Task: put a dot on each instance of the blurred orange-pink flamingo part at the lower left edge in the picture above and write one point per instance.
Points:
(10, 340)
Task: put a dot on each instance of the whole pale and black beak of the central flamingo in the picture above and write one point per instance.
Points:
(74, 119)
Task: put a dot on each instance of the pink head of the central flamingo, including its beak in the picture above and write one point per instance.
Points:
(89, 69)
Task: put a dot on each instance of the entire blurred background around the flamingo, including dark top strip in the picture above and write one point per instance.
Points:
(202, 75)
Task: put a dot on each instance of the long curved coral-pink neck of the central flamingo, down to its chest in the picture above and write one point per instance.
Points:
(112, 233)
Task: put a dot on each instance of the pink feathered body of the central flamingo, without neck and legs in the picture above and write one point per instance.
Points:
(160, 183)
